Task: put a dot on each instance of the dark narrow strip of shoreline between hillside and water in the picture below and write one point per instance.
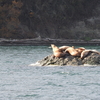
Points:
(47, 41)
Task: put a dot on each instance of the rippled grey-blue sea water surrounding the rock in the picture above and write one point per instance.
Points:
(19, 81)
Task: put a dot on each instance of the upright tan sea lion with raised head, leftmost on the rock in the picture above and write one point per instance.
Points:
(57, 52)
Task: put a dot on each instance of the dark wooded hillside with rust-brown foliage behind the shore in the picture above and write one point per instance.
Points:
(64, 19)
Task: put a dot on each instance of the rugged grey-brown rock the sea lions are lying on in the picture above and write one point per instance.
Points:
(91, 59)
